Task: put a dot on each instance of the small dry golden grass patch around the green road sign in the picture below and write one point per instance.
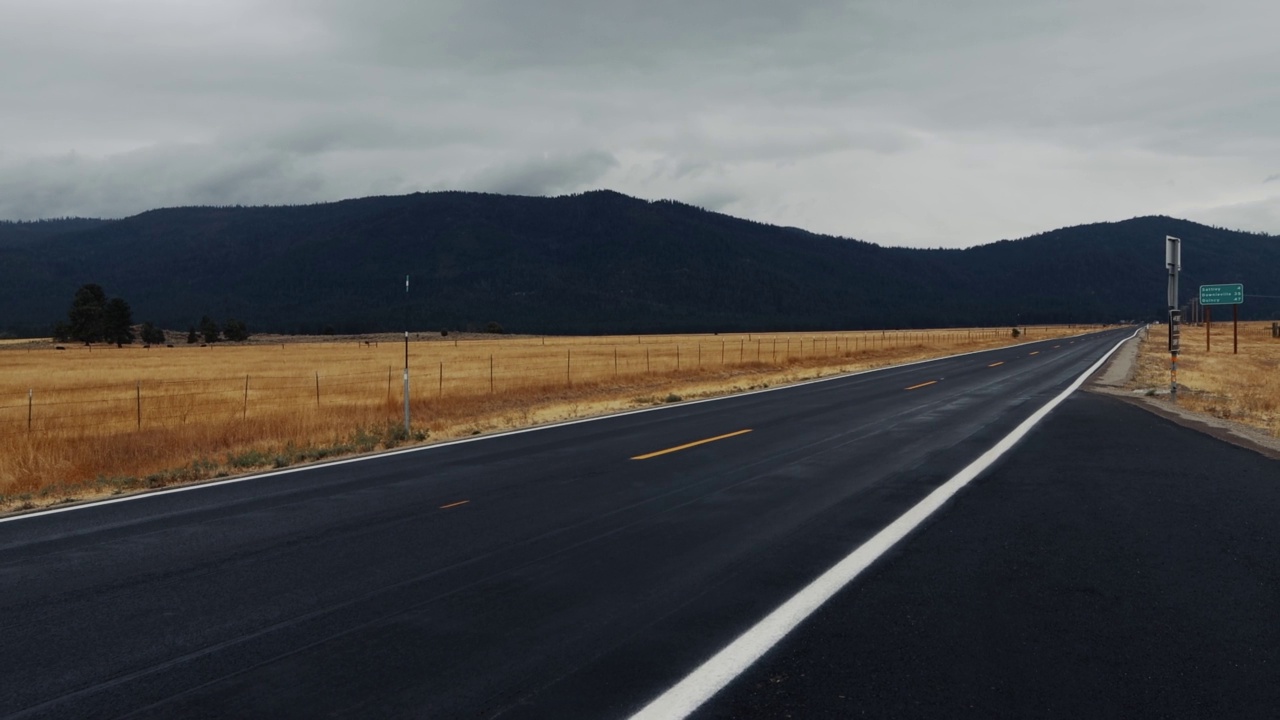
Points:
(1244, 388)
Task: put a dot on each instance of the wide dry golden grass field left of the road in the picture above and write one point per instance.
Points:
(98, 421)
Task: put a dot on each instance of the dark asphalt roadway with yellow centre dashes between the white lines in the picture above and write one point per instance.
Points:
(542, 575)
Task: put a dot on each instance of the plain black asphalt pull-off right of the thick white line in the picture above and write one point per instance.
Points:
(1114, 566)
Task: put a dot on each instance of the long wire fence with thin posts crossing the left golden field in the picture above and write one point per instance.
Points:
(438, 371)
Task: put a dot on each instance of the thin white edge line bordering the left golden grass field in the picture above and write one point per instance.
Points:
(461, 441)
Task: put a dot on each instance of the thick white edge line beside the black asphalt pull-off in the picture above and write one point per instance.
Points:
(710, 678)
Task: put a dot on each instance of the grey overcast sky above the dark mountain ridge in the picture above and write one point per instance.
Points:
(900, 122)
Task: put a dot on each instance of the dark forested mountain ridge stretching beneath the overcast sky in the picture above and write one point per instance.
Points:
(592, 263)
